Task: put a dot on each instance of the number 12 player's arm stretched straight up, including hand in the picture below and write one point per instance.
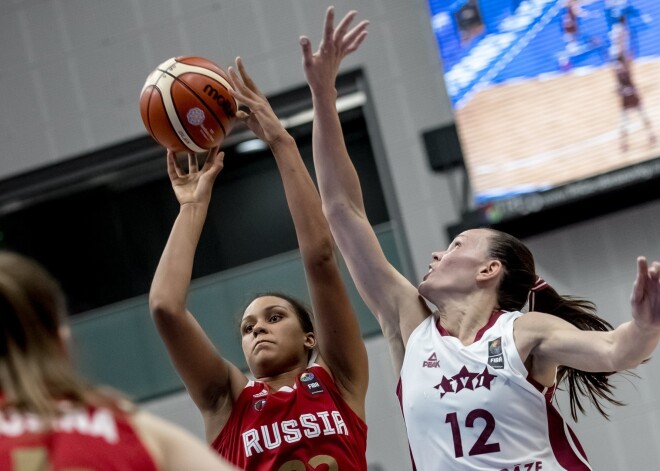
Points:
(390, 296)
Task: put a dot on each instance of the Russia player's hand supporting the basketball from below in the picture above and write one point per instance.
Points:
(195, 185)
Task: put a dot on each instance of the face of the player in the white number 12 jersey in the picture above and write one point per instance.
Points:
(455, 270)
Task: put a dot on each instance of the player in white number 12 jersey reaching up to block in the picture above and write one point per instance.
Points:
(477, 375)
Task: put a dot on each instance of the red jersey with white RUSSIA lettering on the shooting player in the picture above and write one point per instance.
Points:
(299, 428)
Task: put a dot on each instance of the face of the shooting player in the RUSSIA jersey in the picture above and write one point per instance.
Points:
(272, 338)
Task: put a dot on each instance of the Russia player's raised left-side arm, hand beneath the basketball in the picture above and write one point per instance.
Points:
(211, 381)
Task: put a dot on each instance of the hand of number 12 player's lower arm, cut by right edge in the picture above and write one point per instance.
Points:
(645, 299)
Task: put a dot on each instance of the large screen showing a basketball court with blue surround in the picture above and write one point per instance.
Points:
(549, 92)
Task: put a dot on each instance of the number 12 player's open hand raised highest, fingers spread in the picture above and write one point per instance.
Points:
(321, 67)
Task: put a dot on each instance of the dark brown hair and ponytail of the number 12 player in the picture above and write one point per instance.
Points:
(519, 277)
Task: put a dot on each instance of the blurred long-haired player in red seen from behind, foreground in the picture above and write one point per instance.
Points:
(52, 420)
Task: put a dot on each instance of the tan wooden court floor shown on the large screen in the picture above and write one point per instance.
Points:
(556, 130)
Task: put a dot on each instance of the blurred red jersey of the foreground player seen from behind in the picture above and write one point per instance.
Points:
(81, 438)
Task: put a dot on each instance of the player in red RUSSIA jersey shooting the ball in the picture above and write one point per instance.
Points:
(305, 408)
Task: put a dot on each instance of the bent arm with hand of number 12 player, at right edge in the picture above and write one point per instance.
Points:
(554, 342)
